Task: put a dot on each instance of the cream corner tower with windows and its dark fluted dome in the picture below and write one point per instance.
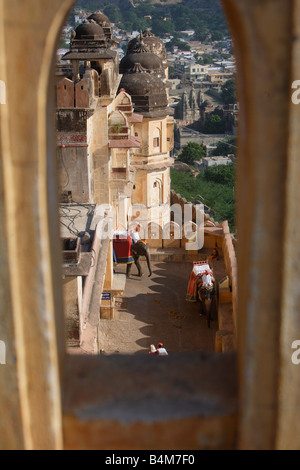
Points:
(152, 160)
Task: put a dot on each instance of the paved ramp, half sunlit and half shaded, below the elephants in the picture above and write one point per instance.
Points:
(153, 310)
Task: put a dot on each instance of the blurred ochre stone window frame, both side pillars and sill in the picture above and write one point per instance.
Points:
(258, 394)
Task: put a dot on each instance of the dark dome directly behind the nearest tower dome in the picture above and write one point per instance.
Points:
(141, 55)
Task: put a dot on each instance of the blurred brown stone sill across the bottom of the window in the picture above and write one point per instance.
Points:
(142, 402)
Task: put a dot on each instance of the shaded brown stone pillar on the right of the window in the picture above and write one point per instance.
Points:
(267, 47)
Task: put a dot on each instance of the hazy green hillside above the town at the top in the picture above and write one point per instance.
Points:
(206, 17)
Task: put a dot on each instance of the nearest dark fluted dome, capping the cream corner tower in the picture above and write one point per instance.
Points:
(148, 92)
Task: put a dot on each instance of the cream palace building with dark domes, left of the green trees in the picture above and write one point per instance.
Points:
(114, 138)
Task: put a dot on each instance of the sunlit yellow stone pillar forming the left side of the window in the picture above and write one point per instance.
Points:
(31, 316)
